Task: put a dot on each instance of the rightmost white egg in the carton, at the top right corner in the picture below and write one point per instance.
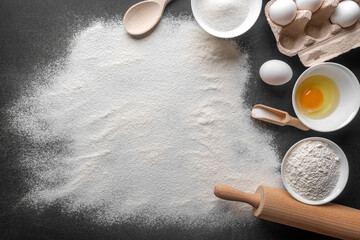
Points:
(346, 13)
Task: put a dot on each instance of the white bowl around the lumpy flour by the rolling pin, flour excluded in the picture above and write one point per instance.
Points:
(343, 177)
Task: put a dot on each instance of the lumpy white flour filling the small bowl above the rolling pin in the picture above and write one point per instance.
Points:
(312, 170)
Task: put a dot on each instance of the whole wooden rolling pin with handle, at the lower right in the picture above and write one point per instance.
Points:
(278, 206)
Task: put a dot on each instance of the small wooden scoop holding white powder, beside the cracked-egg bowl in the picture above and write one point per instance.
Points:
(280, 118)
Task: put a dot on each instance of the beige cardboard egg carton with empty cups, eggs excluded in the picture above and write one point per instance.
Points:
(312, 36)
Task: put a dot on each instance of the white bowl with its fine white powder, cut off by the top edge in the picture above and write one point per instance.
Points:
(226, 18)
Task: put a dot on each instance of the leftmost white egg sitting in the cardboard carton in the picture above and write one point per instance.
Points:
(282, 12)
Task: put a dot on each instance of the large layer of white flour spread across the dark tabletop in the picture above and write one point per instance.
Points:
(150, 125)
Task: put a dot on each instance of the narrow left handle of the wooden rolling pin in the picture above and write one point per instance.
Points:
(232, 194)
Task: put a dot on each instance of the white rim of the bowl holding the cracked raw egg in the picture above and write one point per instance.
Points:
(302, 118)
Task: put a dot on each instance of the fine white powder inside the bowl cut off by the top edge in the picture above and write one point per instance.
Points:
(223, 15)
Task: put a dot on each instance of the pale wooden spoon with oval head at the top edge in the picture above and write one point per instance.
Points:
(143, 16)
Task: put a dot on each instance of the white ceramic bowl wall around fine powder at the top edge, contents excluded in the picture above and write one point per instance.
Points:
(253, 14)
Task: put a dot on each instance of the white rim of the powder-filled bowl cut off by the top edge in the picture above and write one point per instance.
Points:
(225, 34)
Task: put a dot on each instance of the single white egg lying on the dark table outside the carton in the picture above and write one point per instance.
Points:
(275, 72)
